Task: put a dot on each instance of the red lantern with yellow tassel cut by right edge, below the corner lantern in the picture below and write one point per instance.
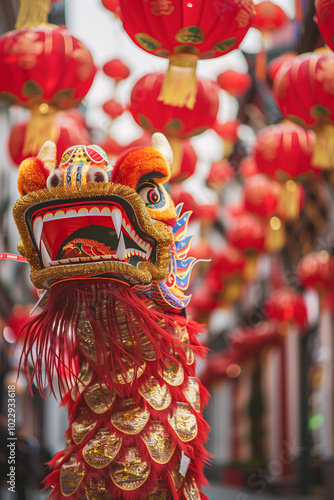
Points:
(313, 106)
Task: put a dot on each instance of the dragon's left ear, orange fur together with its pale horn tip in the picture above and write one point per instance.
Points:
(34, 171)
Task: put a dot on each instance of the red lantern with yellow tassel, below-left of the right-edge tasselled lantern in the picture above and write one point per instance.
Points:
(284, 152)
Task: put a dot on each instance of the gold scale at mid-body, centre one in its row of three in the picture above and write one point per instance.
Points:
(130, 418)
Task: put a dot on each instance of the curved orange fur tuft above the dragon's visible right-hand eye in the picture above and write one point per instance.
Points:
(131, 167)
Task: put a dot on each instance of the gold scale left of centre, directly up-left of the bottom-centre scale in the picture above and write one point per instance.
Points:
(102, 449)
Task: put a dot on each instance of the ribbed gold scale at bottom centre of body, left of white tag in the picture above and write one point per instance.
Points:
(130, 474)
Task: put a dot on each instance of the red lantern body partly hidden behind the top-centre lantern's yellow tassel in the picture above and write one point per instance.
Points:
(182, 123)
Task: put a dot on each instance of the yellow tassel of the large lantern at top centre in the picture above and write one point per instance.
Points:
(179, 87)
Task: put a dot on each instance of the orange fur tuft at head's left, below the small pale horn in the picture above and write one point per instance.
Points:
(32, 176)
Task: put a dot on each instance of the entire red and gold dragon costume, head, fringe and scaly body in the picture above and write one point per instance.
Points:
(110, 249)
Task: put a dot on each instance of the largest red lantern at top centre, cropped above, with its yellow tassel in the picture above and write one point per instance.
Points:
(184, 32)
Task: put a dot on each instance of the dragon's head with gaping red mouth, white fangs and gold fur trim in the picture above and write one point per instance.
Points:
(85, 218)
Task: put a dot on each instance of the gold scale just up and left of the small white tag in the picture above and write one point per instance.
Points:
(159, 443)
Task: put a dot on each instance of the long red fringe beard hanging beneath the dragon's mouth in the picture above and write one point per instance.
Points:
(50, 339)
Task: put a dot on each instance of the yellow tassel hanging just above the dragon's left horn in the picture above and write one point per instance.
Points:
(40, 128)
